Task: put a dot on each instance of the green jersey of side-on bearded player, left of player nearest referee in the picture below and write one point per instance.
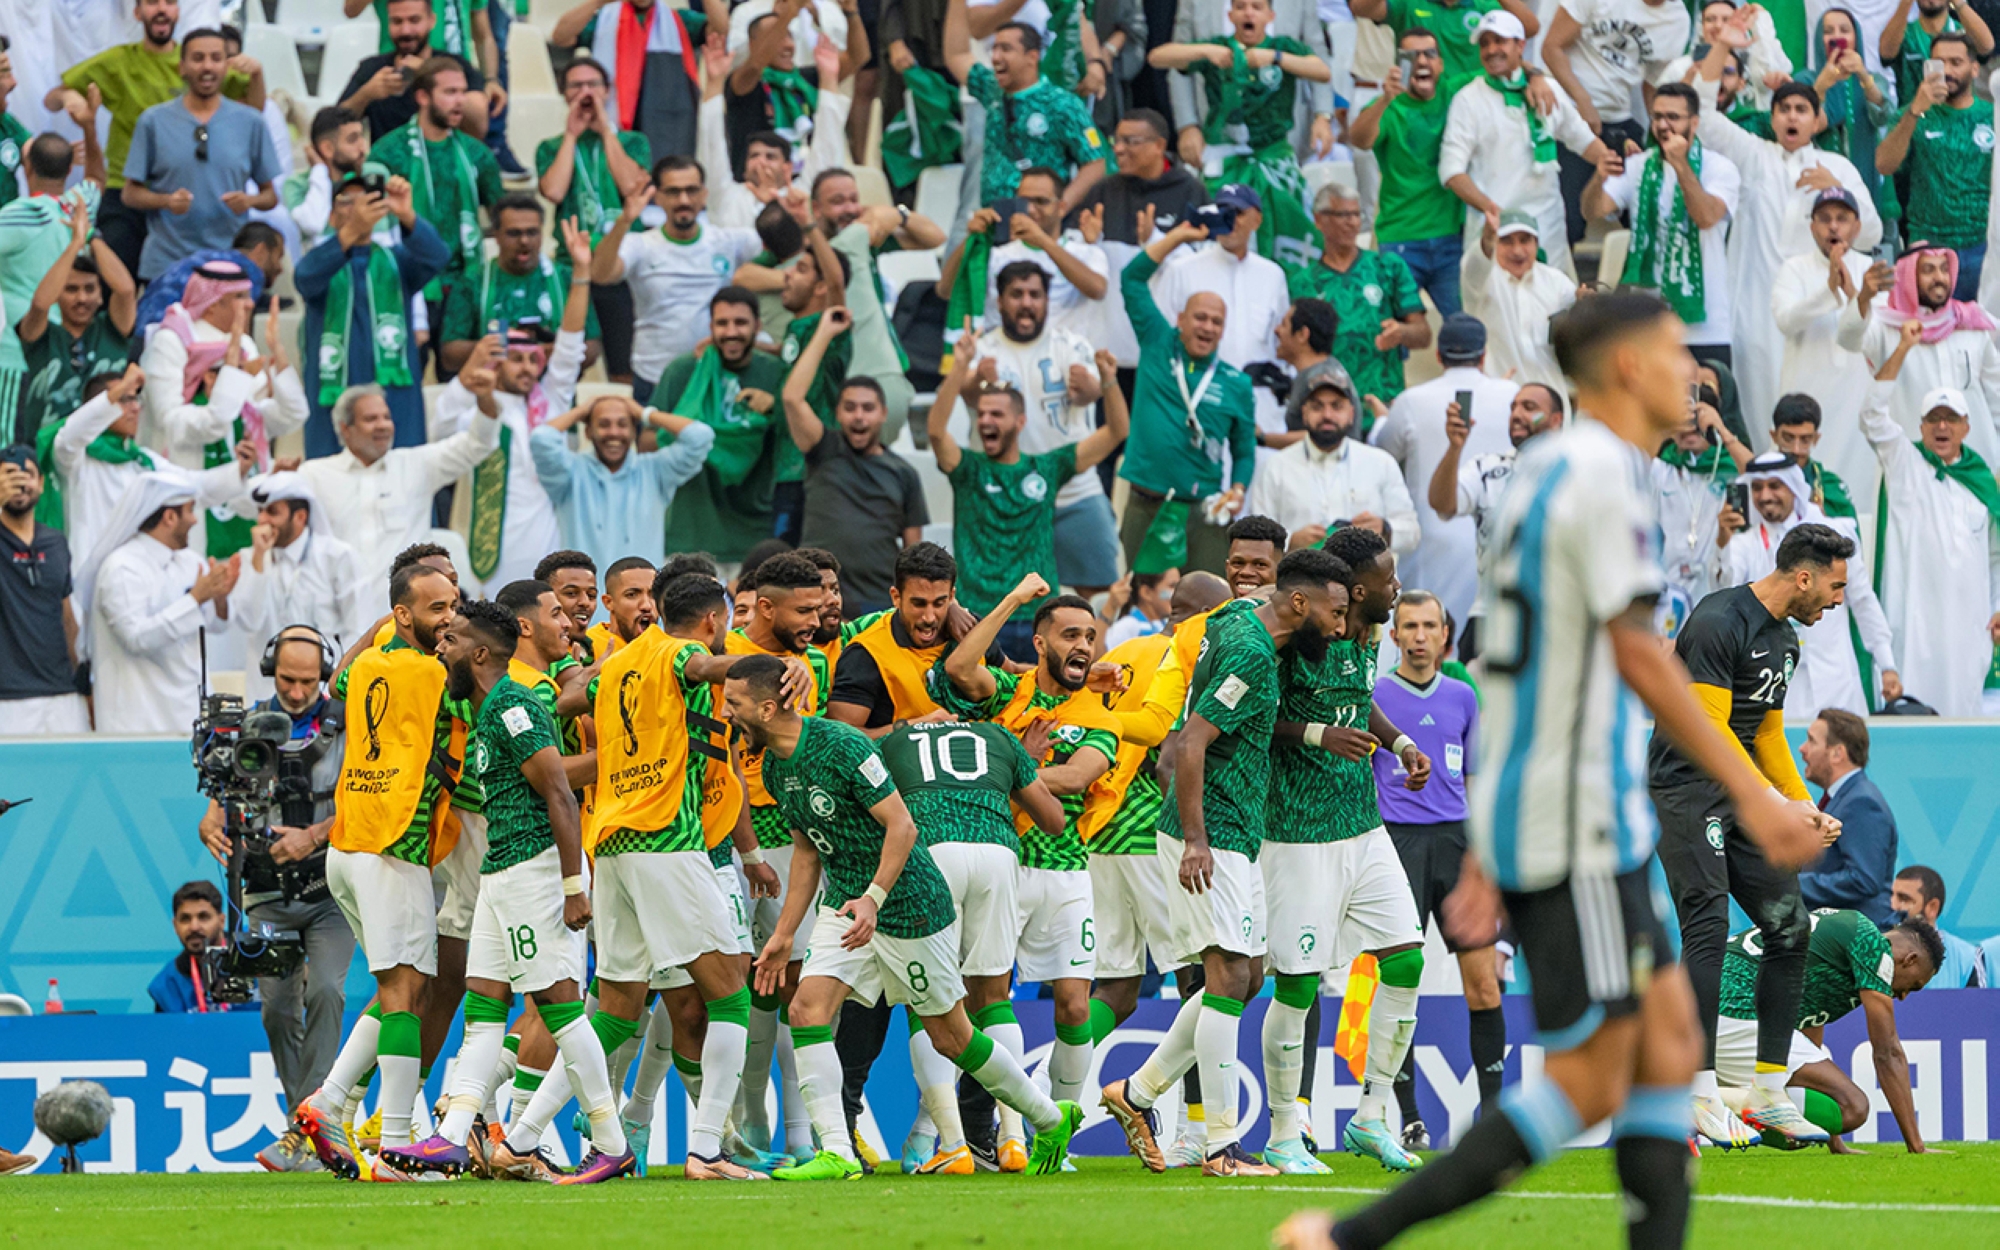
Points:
(1233, 687)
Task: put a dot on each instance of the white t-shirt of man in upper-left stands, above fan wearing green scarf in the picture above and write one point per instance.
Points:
(671, 289)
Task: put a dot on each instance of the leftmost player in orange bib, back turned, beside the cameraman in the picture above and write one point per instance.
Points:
(381, 853)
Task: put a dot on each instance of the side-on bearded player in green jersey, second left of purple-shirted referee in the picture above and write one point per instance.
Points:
(1215, 827)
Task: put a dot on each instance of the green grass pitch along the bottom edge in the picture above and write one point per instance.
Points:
(1761, 1199)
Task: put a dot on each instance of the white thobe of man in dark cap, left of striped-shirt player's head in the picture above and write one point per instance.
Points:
(1447, 561)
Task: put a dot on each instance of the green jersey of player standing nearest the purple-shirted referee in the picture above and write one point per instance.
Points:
(1315, 795)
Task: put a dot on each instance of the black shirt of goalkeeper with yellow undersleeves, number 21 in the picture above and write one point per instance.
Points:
(1733, 643)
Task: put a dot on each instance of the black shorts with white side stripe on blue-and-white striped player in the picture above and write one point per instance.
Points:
(1591, 947)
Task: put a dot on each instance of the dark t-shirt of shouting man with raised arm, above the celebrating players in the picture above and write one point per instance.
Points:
(859, 507)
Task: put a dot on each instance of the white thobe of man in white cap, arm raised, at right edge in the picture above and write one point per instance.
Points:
(1941, 569)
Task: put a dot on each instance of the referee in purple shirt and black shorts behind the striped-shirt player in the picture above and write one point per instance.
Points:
(1429, 829)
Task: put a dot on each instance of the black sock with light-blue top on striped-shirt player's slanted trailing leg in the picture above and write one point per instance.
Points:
(1531, 1129)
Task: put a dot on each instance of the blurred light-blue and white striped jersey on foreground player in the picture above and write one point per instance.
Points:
(1563, 741)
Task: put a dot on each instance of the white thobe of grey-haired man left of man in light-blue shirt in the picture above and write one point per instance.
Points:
(385, 507)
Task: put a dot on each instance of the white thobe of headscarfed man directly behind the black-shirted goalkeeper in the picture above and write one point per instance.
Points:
(1829, 673)
